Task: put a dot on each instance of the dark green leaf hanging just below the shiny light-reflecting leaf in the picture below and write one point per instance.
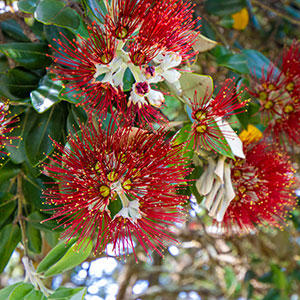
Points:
(37, 142)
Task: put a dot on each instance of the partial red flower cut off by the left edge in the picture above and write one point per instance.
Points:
(7, 125)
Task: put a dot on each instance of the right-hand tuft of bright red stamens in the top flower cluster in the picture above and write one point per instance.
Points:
(167, 27)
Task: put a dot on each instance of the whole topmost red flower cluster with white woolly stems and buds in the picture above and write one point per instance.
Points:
(147, 39)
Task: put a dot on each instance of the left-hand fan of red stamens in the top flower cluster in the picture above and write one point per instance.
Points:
(78, 63)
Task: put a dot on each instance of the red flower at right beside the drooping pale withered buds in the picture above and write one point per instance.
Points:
(262, 185)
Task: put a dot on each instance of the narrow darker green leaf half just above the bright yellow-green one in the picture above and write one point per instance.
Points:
(55, 255)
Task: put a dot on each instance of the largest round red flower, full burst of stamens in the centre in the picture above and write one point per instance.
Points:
(118, 186)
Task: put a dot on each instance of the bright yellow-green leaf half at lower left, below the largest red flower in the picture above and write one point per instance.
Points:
(77, 253)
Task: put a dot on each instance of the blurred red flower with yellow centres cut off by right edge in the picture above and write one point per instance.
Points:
(278, 93)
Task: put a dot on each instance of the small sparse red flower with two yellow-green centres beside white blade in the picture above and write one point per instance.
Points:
(208, 112)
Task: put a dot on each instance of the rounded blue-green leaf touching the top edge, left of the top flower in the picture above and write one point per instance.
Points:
(55, 12)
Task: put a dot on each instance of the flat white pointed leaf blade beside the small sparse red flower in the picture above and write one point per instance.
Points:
(232, 138)
